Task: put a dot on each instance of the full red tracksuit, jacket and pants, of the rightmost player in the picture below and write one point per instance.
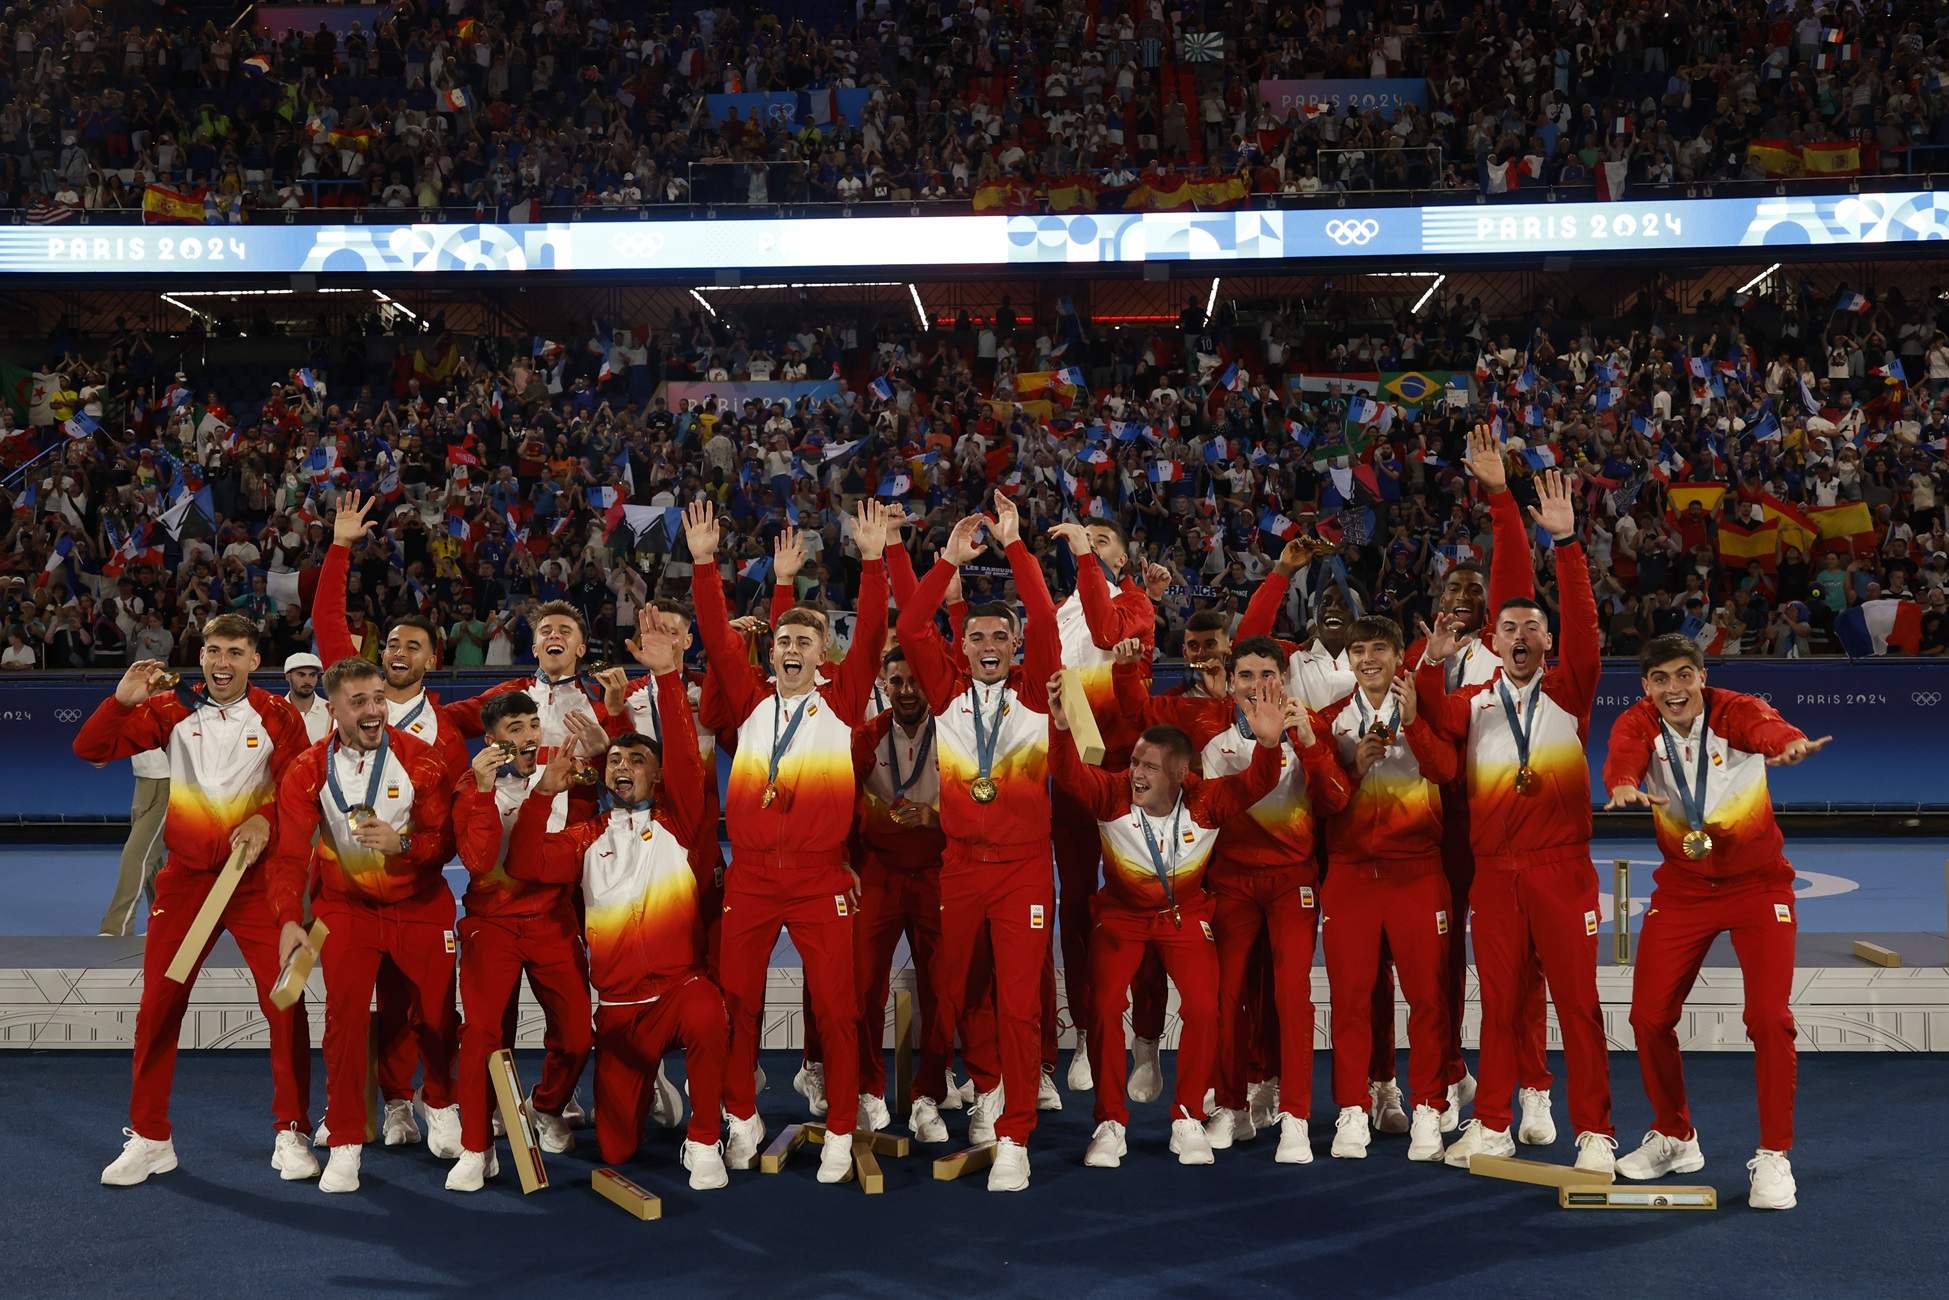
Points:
(1743, 886)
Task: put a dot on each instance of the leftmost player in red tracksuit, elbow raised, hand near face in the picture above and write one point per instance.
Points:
(227, 746)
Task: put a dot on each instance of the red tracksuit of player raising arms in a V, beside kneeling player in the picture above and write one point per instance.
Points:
(788, 857)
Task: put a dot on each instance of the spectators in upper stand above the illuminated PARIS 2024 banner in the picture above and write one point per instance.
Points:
(541, 104)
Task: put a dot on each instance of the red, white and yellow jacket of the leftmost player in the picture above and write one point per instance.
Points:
(225, 763)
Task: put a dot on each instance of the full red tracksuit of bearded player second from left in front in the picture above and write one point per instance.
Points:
(379, 907)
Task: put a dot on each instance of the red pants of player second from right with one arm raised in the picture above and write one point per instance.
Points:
(1541, 911)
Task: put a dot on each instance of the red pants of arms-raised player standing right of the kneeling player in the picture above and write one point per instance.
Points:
(755, 911)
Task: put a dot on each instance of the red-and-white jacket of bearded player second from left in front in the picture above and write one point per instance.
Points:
(414, 796)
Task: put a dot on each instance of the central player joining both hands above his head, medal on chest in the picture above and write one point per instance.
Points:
(997, 903)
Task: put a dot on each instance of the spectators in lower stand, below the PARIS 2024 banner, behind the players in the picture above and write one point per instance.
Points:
(521, 471)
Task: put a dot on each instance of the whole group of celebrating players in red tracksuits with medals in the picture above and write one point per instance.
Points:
(1354, 792)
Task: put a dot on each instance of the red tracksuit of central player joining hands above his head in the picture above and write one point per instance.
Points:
(995, 872)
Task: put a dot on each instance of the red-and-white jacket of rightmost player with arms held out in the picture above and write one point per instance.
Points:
(1739, 734)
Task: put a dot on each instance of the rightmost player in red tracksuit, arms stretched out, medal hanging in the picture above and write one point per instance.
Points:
(1699, 757)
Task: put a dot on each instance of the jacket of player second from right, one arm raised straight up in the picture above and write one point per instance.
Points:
(1510, 829)
